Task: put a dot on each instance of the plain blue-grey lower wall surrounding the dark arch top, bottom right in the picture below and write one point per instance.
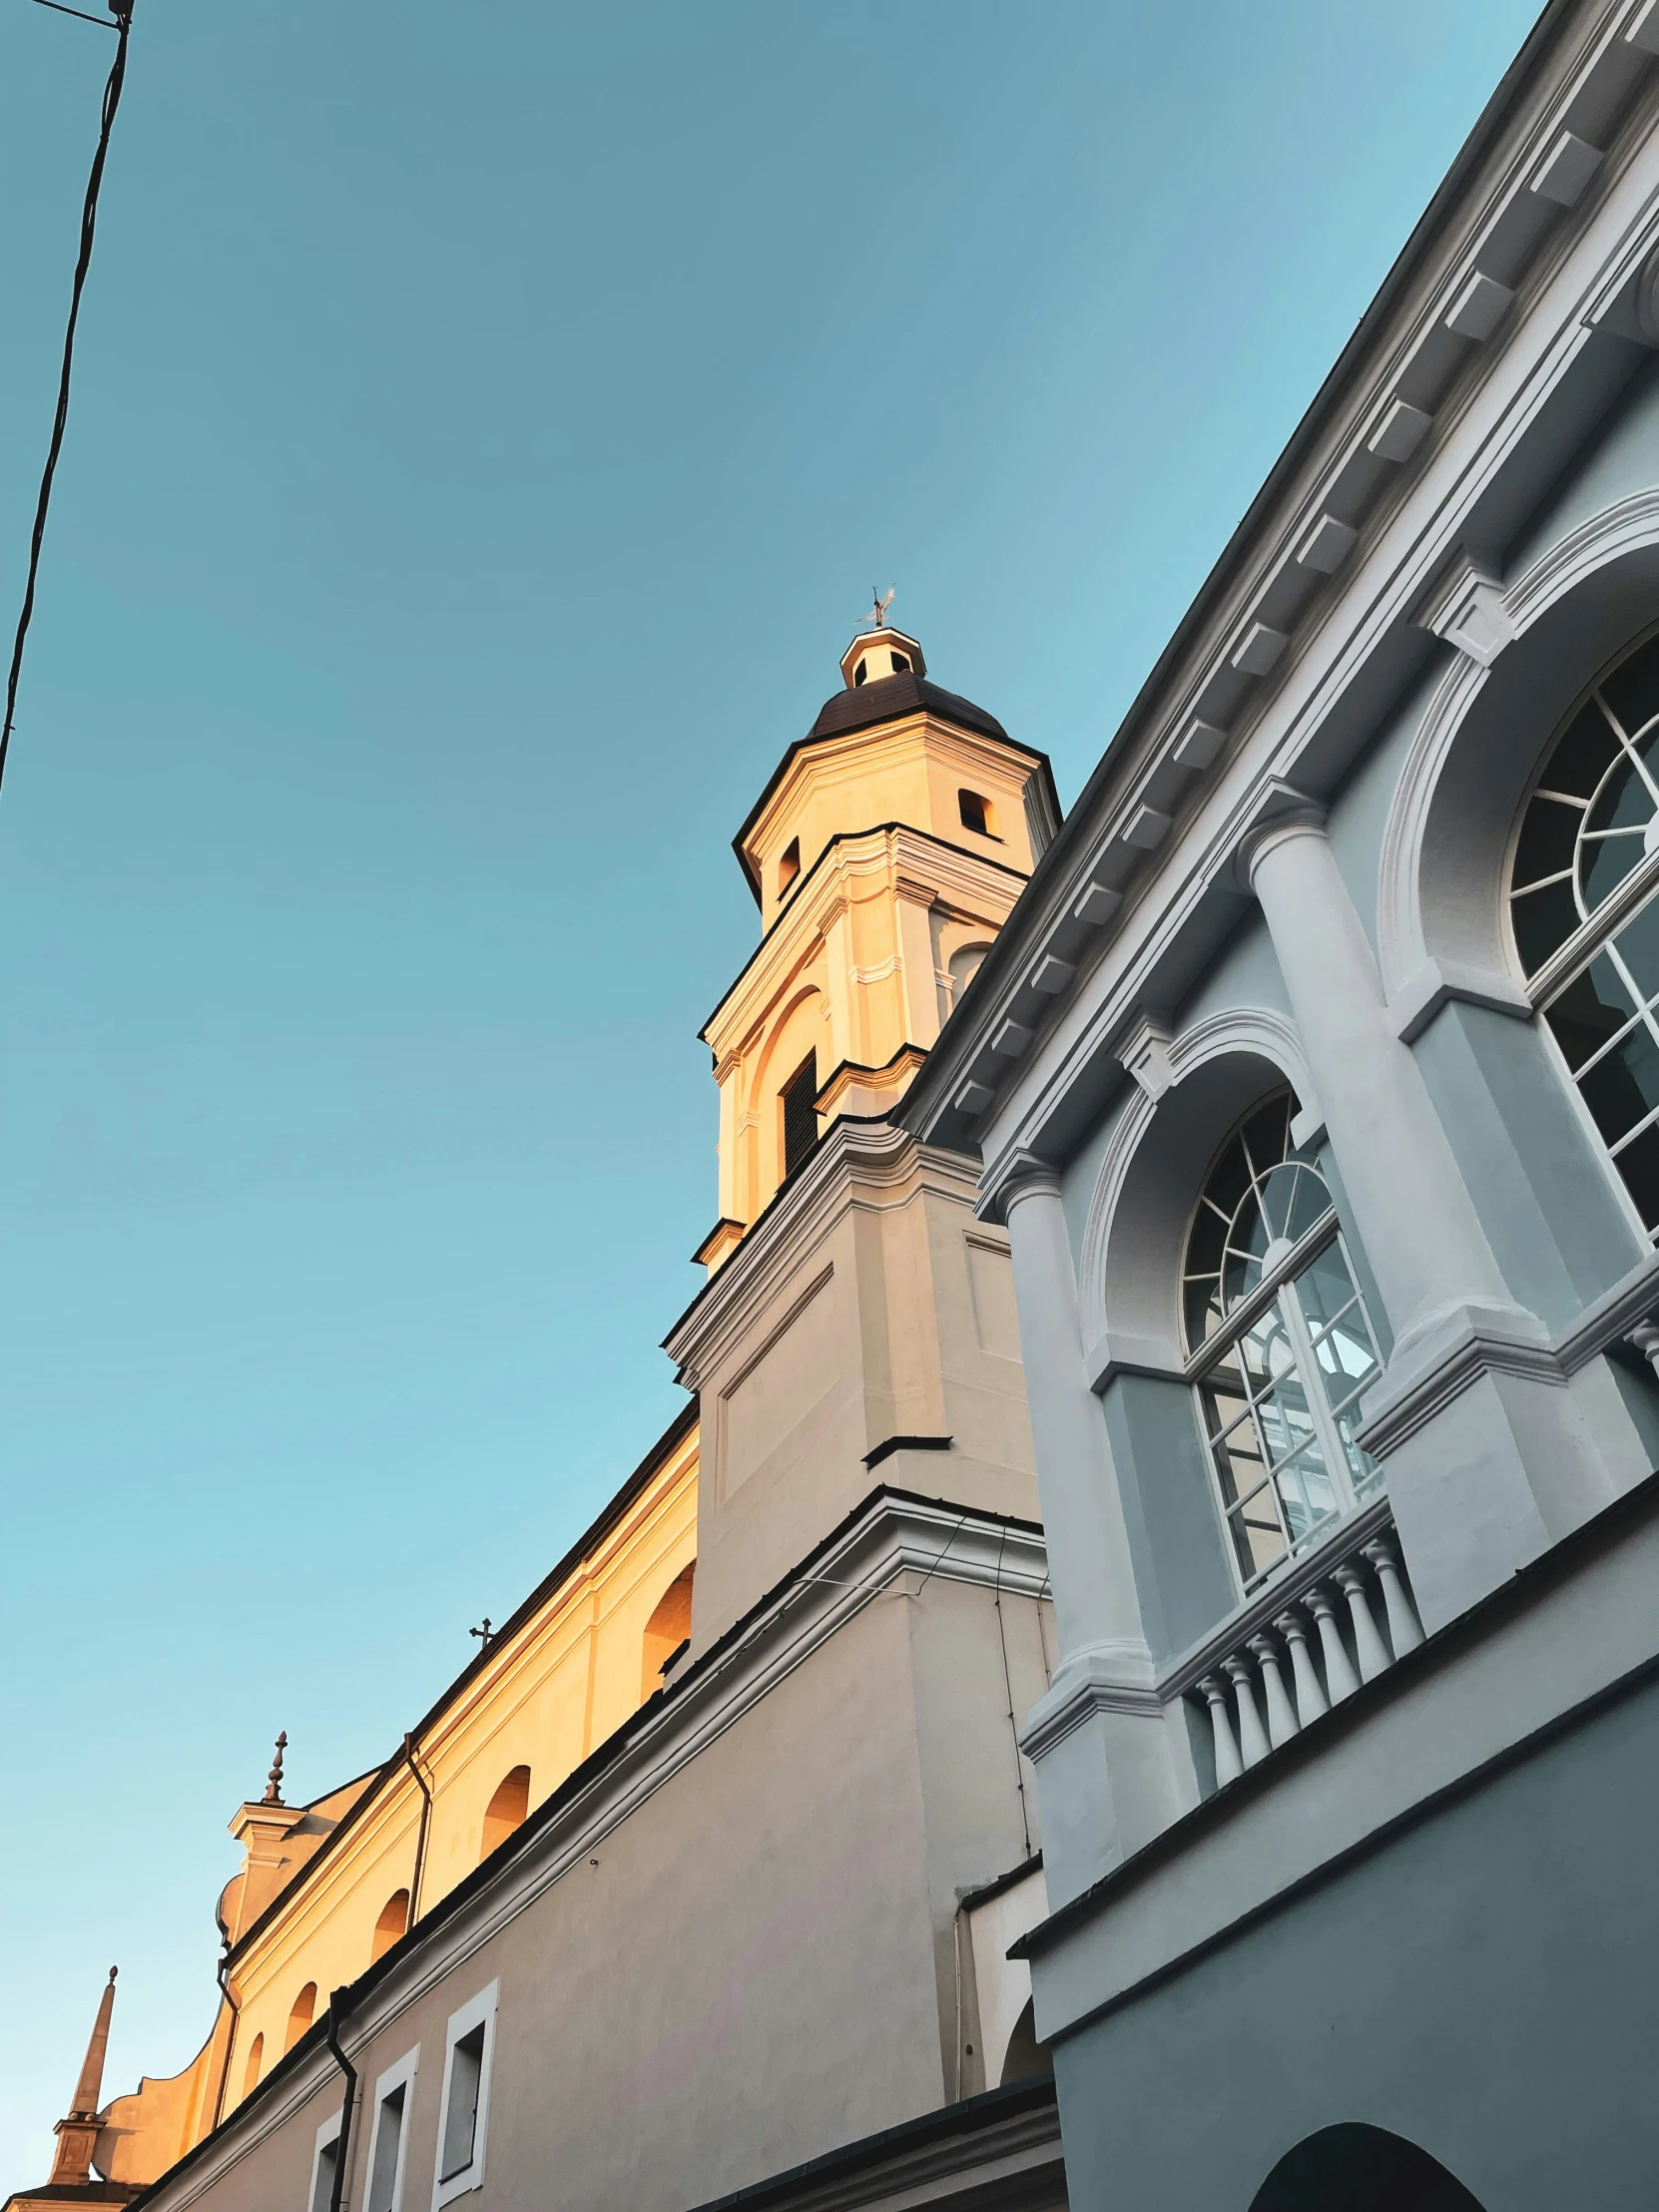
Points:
(1481, 1987)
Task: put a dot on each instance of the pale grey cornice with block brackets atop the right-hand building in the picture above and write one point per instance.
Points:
(1204, 709)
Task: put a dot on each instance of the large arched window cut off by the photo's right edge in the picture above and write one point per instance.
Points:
(1583, 886)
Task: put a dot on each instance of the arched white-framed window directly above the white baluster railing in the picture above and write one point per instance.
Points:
(1282, 1346)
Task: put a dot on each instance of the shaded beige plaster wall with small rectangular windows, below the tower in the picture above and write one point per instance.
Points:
(760, 1965)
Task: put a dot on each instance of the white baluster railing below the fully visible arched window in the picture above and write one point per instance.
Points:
(1306, 1642)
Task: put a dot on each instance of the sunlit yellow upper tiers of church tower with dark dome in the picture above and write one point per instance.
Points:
(884, 855)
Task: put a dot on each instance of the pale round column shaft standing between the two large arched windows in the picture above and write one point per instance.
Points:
(1410, 1202)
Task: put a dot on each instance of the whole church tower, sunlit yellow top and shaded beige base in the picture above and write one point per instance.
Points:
(859, 1322)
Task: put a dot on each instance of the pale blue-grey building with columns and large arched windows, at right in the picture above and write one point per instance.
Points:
(1317, 1085)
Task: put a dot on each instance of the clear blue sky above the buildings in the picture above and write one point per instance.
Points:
(488, 430)
